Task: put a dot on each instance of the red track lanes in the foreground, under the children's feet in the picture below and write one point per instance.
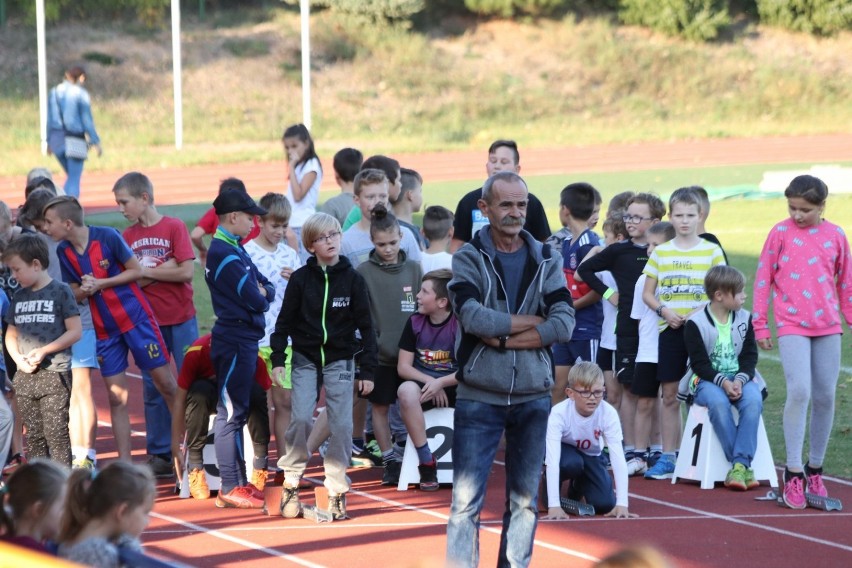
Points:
(696, 528)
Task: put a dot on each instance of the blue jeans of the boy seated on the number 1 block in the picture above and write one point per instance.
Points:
(739, 441)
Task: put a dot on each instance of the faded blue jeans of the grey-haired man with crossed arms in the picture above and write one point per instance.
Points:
(478, 427)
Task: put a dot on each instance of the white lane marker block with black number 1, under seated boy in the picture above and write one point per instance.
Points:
(701, 457)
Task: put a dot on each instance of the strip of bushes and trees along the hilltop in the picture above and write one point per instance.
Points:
(697, 20)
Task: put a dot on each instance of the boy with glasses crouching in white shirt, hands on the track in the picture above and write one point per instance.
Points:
(577, 430)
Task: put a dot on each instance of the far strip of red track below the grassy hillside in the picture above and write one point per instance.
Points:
(199, 184)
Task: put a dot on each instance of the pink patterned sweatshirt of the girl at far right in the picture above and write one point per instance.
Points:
(810, 270)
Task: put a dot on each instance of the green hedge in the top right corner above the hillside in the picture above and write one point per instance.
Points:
(818, 17)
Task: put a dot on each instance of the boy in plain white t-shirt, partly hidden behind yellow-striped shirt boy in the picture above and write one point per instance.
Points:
(647, 428)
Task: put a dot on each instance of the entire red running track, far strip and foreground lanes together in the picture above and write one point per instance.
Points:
(694, 527)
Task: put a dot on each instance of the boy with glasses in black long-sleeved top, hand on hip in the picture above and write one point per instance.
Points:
(626, 260)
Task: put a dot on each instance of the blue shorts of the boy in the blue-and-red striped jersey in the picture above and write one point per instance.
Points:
(145, 343)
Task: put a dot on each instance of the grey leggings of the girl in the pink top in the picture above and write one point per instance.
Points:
(811, 368)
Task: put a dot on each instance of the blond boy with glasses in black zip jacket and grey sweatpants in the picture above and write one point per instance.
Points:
(325, 303)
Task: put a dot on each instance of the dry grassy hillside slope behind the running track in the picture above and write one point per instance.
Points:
(444, 83)
